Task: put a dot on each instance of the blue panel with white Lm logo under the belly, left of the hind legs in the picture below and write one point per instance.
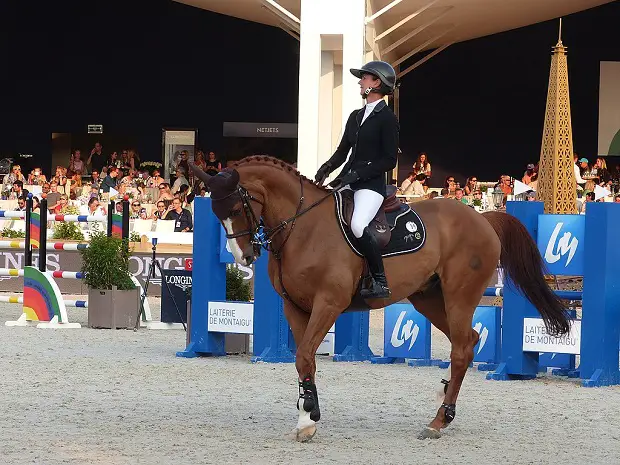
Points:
(406, 335)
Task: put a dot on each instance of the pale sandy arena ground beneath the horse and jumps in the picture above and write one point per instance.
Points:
(90, 396)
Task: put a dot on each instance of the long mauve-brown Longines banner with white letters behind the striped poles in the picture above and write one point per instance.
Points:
(72, 261)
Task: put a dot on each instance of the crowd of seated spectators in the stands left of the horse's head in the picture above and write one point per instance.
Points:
(81, 186)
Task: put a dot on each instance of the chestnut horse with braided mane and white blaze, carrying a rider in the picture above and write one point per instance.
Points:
(317, 273)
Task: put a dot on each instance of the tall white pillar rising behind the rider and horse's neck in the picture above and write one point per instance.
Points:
(332, 32)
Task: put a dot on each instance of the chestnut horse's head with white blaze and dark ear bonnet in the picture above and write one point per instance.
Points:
(238, 211)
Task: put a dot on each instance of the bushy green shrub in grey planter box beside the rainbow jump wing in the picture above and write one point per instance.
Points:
(105, 263)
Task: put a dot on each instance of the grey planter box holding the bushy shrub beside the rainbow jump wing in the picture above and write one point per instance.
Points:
(113, 309)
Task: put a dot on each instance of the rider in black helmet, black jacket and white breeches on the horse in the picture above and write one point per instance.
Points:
(372, 132)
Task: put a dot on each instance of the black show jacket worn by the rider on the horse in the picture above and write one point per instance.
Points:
(374, 144)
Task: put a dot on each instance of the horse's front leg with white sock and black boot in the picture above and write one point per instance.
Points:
(325, 310)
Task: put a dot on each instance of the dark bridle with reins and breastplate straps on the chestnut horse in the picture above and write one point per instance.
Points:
(262, 236)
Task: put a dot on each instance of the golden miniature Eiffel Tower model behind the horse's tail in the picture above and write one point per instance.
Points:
(557, 186)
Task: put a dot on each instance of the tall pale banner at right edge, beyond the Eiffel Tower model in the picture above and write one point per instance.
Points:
(609, 109)
